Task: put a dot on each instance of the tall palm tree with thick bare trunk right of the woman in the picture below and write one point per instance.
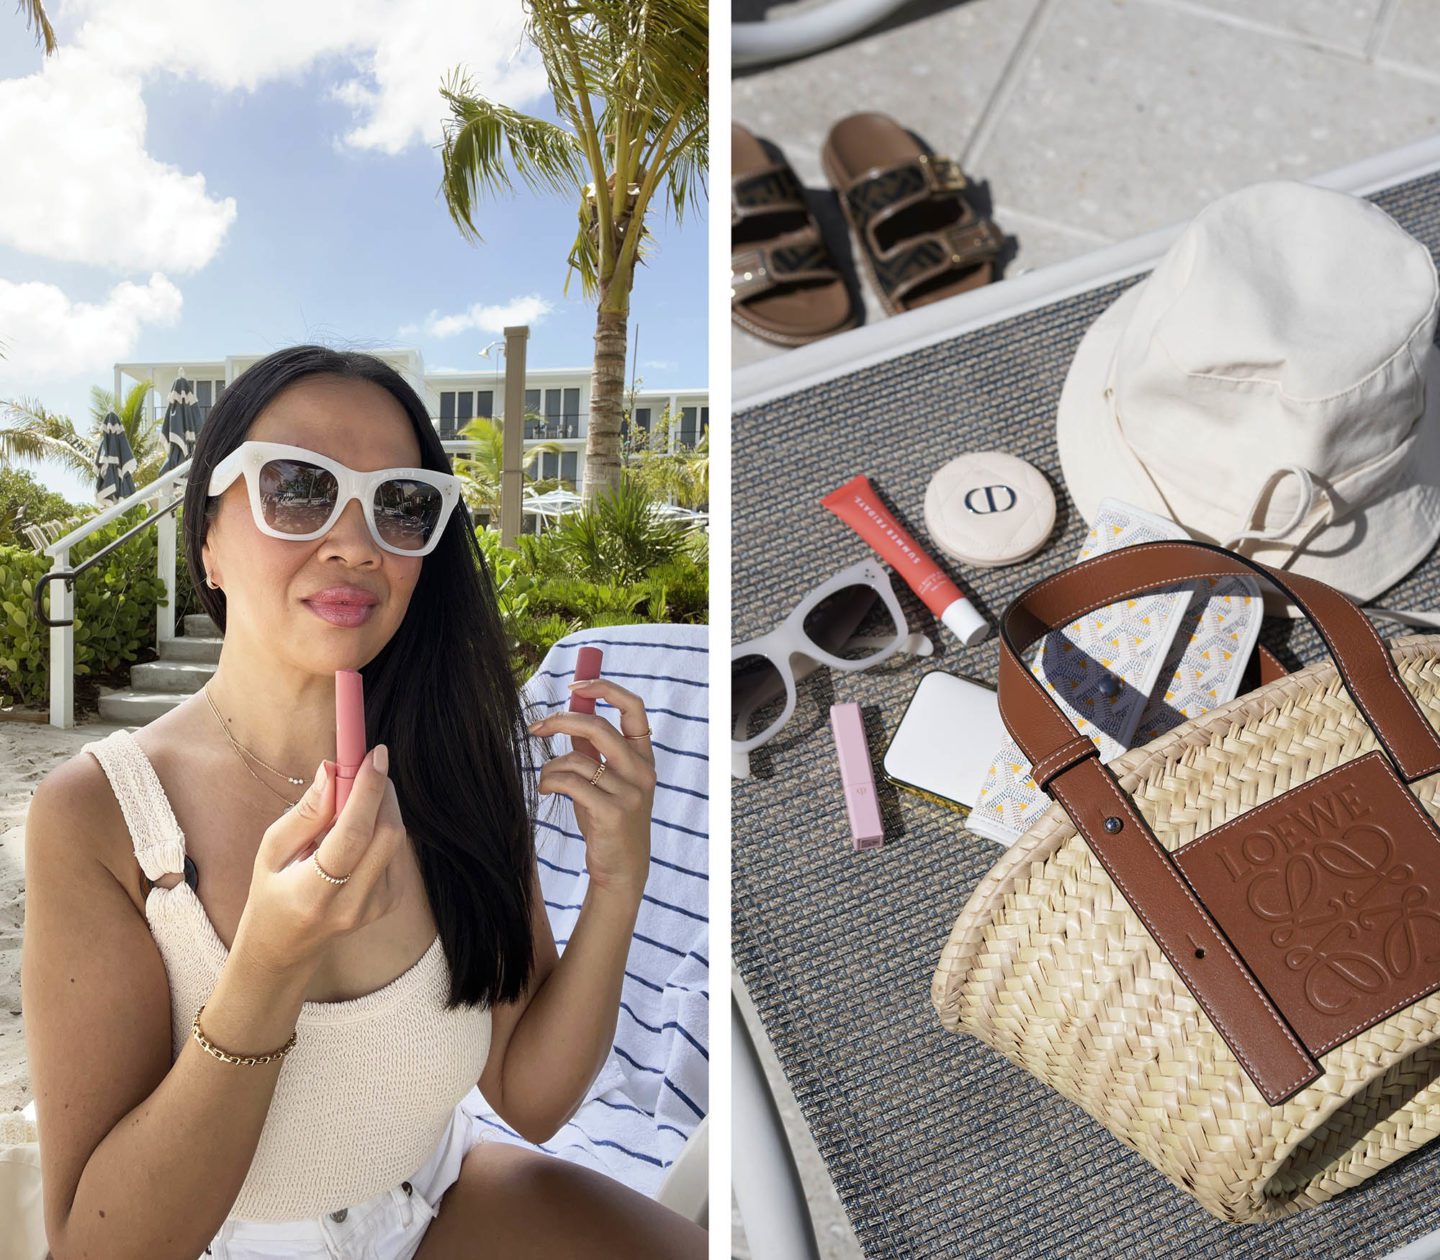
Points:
(630, 86)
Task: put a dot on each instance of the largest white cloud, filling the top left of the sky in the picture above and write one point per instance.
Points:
(81, 185)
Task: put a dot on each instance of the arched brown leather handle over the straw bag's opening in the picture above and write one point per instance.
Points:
(1050, 741)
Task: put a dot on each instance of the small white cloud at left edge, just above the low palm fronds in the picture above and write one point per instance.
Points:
(50, 338)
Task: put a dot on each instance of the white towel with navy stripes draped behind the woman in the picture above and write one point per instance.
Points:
(654, 1088)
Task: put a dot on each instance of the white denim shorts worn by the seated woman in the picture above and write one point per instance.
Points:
(385, 1228)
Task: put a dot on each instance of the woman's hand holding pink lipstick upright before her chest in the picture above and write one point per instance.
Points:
(293, 914)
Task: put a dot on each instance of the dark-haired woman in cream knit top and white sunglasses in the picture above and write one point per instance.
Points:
(197, 915)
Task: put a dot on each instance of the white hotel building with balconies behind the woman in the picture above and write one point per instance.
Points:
(561, 397)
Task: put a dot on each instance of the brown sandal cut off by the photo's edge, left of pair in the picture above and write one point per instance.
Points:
(784, 283)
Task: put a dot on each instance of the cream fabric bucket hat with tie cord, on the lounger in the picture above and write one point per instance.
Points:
(1274, 387)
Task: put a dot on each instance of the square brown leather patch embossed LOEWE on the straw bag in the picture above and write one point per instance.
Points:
(1330, 894)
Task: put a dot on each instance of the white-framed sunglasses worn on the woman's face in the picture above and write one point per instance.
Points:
(299, 495)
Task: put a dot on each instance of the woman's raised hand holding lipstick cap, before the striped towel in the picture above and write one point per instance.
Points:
(614, 810)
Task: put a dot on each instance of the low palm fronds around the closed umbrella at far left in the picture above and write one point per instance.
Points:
(31, 433)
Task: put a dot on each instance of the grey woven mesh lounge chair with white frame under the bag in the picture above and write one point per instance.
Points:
(937, 1144)
